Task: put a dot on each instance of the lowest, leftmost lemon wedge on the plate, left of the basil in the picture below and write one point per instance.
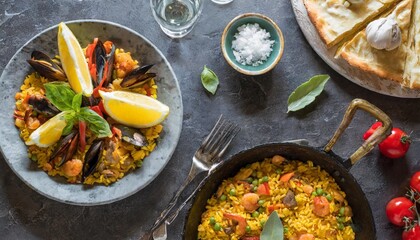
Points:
(49, 132)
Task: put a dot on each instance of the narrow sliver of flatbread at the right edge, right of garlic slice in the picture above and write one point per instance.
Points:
(412, 67)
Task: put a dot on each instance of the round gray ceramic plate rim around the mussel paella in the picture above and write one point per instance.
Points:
(15, 152)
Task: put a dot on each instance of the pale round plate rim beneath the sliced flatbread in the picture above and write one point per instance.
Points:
(361, 78)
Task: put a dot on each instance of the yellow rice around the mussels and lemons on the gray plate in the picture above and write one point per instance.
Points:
(126, 157)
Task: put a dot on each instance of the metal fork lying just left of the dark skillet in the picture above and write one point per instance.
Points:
(205, 159)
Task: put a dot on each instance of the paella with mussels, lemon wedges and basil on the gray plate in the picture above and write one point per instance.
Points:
(88, 137)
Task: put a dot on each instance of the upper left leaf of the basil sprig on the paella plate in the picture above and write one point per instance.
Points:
(60, 95)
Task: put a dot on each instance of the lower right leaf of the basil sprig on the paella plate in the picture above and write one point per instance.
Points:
(97, 124)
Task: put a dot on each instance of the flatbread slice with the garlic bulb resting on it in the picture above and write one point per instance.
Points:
(386, 64)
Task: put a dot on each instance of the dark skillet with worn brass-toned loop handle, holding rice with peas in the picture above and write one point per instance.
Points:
(337, 167)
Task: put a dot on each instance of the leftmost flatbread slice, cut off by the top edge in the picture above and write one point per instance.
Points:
(334, 21)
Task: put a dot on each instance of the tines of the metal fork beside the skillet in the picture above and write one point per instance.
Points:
(220, 137)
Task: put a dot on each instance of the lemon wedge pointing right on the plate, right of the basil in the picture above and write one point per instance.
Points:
(134, 109)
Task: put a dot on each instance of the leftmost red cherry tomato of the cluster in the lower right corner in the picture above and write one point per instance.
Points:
(397, 209)
